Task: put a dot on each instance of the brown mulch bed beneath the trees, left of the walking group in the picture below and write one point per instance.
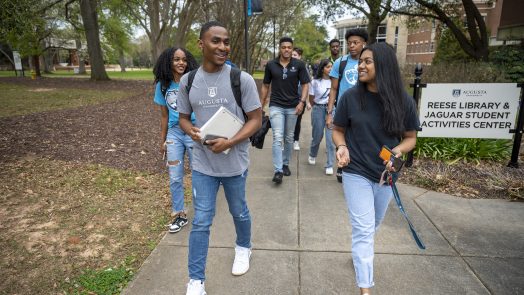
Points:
(121, 134)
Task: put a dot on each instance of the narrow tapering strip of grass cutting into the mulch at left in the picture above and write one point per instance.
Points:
(21, 100)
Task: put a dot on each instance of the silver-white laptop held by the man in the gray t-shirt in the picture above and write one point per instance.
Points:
(222, 124)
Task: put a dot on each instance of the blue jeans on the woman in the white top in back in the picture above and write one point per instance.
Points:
(318, 123)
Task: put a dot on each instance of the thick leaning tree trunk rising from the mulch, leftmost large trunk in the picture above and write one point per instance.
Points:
(90, 20)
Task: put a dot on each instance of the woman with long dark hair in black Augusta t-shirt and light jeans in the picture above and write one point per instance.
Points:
(377, 112)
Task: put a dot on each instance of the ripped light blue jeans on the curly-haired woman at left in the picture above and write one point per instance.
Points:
(177, 144)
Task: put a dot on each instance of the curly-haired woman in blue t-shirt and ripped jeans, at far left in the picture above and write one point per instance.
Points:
(171, 65)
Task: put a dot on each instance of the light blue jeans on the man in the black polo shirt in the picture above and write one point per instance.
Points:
(283, 121)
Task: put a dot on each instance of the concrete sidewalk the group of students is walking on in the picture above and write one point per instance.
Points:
(301, 241)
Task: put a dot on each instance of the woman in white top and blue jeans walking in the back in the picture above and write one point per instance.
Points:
(318, 98)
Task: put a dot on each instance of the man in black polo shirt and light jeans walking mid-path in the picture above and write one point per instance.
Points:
(284, 74)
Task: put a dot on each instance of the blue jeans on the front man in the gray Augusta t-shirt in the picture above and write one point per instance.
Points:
(205, 190)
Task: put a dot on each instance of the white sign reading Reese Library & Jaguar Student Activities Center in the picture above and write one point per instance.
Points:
(469, 110)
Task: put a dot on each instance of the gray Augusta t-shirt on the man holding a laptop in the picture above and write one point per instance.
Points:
(205, 98)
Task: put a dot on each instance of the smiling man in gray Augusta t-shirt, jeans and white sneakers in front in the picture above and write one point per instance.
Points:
(210, 90)
